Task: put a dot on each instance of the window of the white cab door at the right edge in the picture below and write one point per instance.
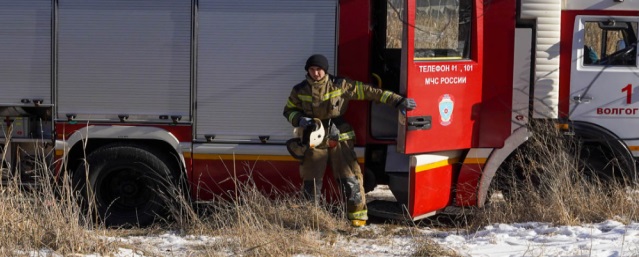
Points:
(610, 43)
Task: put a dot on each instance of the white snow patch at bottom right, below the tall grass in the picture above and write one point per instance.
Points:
(609, 238)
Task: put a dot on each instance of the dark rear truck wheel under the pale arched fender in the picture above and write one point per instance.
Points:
(128, 183)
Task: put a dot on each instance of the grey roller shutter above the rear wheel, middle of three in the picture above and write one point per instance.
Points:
(124, 57)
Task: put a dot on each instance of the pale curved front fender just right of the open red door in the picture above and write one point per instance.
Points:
(496, 158)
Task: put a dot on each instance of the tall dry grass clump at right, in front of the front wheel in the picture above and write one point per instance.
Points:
(543, 182)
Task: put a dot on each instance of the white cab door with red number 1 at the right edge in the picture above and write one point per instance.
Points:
(603, 80)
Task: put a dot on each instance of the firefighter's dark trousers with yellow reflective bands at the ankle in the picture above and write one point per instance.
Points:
(345, 169)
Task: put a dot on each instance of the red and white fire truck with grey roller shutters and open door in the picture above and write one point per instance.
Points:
(128, 96)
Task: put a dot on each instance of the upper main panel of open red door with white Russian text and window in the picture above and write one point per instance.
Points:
(441, 71)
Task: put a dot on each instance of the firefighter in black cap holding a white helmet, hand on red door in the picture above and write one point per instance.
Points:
(325, 97)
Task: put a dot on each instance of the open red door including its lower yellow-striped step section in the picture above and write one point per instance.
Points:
(441, 56)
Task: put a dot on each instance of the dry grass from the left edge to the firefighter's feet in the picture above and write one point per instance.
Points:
(49, 218)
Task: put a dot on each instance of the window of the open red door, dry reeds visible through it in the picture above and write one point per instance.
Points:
(442, 29)
